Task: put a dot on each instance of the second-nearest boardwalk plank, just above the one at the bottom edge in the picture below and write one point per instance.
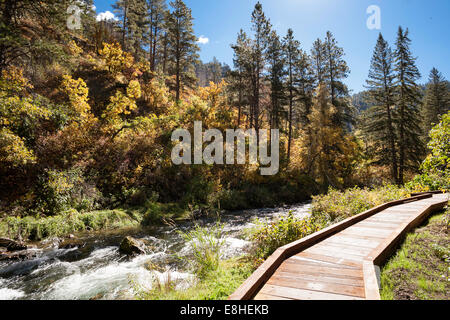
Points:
(317, 285)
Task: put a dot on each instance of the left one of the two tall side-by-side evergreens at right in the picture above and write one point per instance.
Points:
(380, 124)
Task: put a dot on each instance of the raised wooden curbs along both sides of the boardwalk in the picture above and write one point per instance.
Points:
(257, 280)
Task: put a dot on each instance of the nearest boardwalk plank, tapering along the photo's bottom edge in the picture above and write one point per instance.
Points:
(301, 294)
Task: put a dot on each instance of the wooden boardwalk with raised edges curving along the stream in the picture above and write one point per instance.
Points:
(339, 262)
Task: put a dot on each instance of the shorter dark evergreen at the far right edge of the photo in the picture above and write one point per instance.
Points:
(436, 101)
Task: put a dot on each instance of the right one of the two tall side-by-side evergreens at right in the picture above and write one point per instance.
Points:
(408, 97)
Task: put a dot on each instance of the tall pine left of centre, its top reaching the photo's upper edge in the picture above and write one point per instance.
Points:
(182, 47)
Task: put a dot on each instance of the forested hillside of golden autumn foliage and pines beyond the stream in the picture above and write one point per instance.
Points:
(86, 115)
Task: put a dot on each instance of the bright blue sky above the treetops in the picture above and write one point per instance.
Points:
(427, 20)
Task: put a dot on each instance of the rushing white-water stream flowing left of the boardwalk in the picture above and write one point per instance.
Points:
(94, 269)
